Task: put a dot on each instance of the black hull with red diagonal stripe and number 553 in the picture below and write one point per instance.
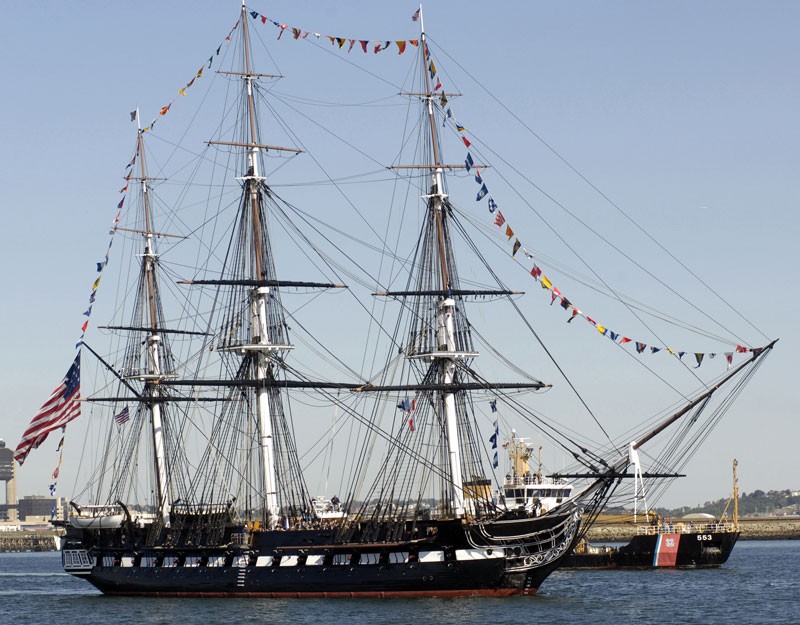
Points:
(685, 550)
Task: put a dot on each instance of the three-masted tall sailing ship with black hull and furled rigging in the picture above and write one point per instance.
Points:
(200, 489)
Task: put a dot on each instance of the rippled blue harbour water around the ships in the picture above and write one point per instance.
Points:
(760, 584)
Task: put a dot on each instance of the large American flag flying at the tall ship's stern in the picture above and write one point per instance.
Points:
(60, 408)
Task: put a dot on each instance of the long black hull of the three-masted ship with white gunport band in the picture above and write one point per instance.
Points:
(452, 562)
